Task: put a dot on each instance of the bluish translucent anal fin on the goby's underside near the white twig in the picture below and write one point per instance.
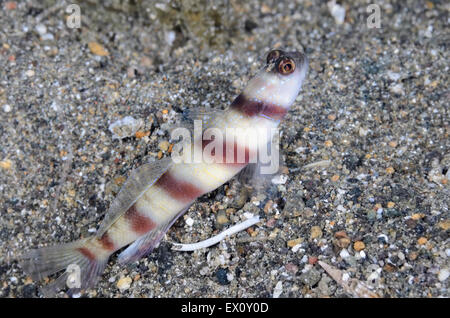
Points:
(146, 243)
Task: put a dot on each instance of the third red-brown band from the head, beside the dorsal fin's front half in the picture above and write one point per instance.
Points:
(181, 190)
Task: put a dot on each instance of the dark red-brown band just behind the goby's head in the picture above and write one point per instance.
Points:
(252, 108)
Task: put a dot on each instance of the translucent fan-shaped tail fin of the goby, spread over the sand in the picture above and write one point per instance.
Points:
(82, 267)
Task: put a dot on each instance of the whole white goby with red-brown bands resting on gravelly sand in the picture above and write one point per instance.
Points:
(156, 194)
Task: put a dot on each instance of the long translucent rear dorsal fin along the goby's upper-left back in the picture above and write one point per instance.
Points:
(139, 181)
